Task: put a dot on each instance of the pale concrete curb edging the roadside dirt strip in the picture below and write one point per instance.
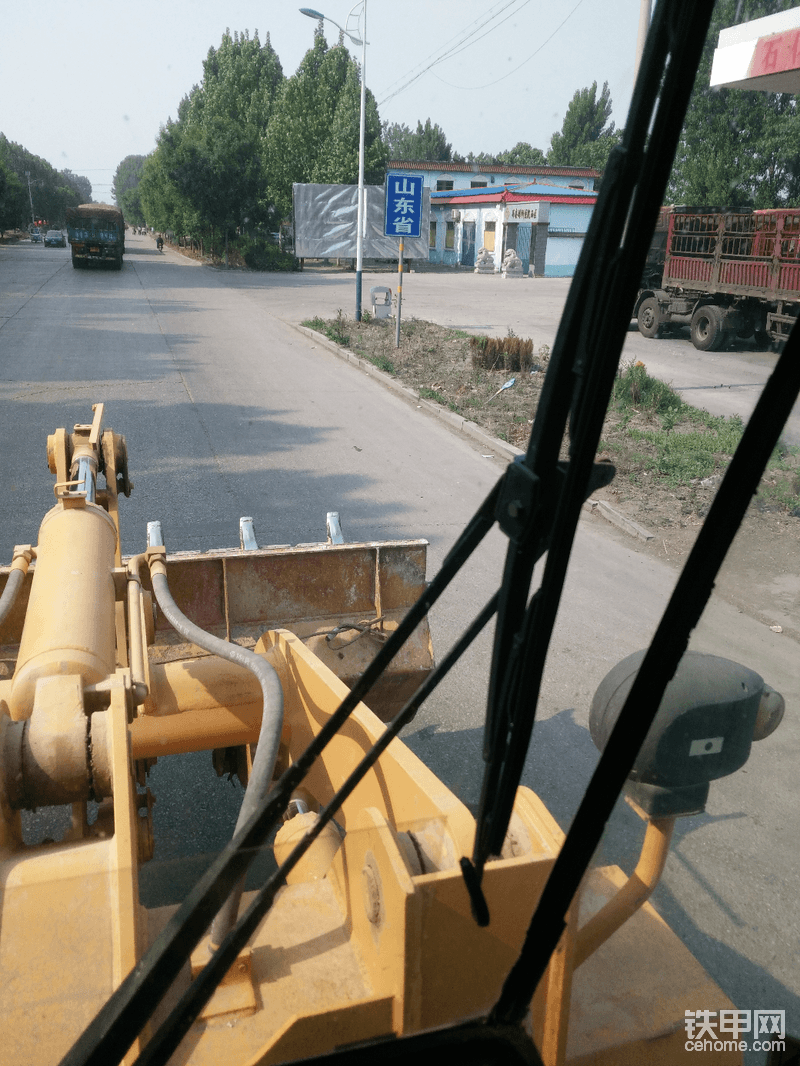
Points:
(462, 425)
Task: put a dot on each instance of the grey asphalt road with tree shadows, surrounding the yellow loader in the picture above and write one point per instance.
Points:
(229, 410)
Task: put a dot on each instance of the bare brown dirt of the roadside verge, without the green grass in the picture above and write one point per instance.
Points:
(762, 573)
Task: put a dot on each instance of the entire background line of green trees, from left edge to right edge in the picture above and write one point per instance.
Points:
(242, 138)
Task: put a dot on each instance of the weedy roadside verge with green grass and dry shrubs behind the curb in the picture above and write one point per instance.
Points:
(658, 443)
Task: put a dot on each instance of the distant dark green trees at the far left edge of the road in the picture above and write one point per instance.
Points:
(49, 196)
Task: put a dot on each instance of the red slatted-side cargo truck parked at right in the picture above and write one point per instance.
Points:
(725, 274)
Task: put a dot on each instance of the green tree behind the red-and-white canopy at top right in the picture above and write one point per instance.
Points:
(738, 149)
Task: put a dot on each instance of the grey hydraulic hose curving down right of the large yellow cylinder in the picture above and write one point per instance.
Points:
(273, 721)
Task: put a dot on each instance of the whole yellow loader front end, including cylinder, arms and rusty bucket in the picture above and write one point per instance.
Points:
(377, 938)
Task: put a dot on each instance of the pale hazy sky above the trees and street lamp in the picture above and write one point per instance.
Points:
(85, 86)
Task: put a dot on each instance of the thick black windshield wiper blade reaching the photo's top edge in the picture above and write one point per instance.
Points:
(547, 500)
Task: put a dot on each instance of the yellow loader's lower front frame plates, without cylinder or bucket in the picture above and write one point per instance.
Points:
(325, 967)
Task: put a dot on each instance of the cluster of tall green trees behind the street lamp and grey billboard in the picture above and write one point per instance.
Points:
(241, 140)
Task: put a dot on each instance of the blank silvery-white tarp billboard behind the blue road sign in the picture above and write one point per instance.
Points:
(326, 220)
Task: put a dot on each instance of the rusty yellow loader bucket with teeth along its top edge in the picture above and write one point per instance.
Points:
(342, 601)
